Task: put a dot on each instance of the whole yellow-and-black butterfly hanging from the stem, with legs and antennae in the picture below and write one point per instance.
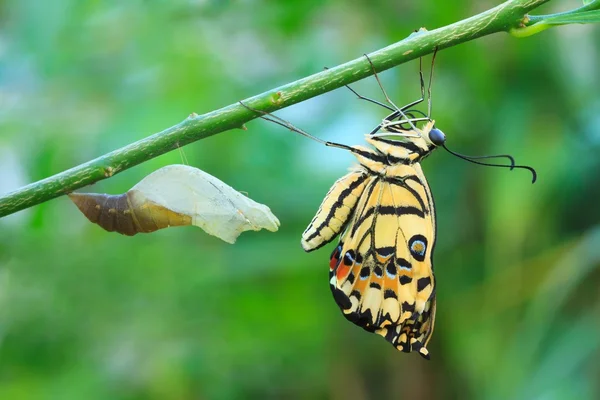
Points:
(381, 272)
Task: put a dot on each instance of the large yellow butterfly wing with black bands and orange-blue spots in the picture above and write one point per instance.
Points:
(382, 271)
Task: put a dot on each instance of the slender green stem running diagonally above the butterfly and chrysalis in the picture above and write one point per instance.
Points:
(502, 18)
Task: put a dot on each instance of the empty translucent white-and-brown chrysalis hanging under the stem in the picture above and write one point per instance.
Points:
(177, 195)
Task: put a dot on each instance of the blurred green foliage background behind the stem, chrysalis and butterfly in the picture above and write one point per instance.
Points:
(178, 314)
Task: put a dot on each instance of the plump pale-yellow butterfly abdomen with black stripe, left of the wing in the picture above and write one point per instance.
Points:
(335, 210)
